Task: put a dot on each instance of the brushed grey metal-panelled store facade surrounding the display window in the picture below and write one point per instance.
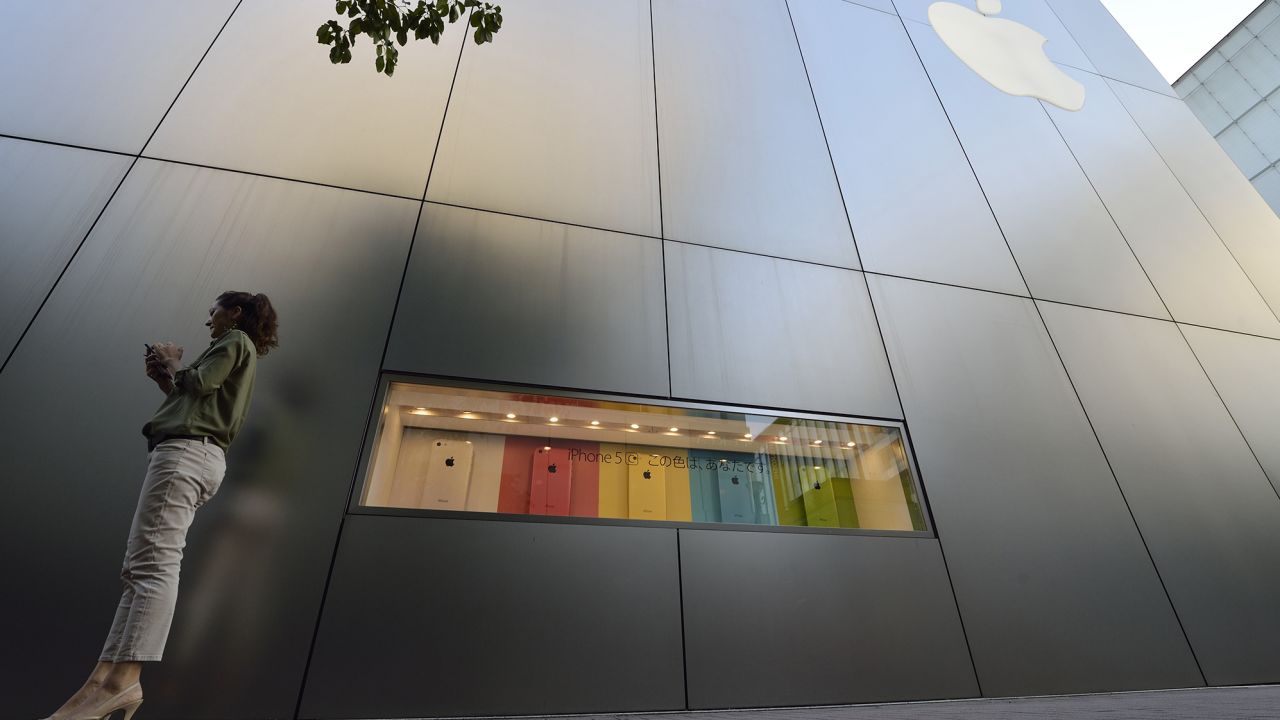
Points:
(721, 203)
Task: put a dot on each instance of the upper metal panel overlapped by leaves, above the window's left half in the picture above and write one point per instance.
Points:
(557, 124)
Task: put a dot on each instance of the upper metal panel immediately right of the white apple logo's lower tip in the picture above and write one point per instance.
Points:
(1192, 270)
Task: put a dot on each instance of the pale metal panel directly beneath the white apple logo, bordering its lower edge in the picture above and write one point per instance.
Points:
(1067, 244)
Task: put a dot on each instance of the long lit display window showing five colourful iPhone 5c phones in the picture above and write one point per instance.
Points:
(467, 449)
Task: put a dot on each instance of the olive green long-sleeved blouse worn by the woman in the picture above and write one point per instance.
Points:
(211, 397)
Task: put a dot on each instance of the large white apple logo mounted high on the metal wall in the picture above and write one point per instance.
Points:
(1007, 54)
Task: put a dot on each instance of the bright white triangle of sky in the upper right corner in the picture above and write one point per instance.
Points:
(1176, 34)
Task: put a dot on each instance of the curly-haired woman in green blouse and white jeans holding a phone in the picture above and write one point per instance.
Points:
(204, 408)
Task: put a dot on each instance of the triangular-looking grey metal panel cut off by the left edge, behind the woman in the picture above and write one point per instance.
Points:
(49, 198)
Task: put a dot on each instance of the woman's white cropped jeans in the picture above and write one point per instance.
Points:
(182, 475)
